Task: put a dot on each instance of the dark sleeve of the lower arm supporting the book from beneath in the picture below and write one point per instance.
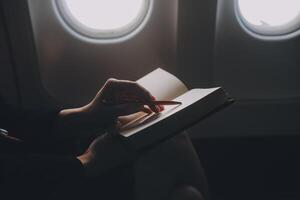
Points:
(23, 174)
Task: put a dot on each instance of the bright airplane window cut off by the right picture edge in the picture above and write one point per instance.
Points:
(270, 17)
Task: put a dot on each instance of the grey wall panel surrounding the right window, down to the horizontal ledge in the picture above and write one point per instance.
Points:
(252, 68)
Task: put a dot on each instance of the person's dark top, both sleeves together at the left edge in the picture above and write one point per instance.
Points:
(24, 171)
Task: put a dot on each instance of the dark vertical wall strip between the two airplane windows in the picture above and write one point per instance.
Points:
(196, 41)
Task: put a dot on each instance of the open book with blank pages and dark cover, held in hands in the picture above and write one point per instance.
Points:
(142, 130)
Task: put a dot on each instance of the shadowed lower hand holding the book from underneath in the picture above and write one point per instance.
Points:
(106, 152)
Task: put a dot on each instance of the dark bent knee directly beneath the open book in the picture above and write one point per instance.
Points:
(167, 166)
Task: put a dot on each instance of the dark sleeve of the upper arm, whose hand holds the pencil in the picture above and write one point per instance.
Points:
(27, 124)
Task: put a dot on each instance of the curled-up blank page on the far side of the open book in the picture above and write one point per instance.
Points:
(163, 85)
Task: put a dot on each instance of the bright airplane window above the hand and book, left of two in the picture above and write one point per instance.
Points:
(103, 18)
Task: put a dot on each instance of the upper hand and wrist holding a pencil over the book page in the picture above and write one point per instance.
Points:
(116, 98)
